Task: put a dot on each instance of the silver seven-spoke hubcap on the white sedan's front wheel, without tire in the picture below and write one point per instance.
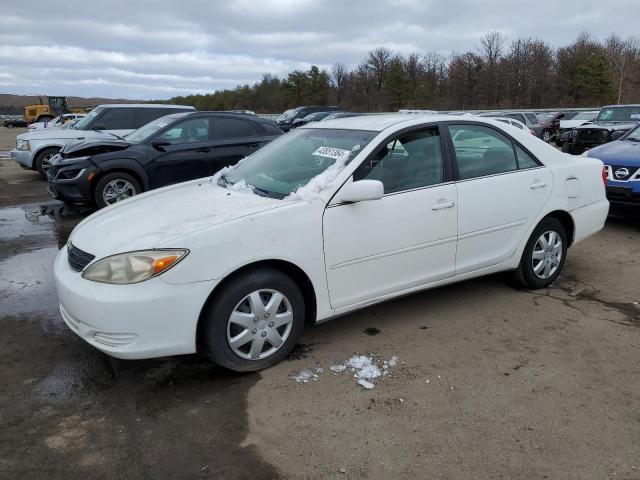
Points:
(259, 324)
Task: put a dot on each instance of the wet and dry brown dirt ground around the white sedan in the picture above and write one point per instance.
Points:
(492, 382)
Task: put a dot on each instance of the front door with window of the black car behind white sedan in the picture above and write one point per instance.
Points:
(187, 154)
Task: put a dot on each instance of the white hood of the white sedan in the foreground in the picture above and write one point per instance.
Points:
(165, 216)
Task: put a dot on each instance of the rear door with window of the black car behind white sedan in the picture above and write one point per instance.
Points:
(233, 139)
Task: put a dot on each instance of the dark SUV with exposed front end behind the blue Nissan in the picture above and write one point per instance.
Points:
(611, 123)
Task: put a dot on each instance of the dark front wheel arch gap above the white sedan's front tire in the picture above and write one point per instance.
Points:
(295, 272)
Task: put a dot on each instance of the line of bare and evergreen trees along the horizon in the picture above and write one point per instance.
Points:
(525, 73)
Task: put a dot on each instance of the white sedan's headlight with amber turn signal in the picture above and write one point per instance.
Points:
(133, 267)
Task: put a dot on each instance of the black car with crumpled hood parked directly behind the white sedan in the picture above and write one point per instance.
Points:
(171, 149)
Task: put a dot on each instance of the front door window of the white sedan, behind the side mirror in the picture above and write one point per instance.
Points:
(411, 161)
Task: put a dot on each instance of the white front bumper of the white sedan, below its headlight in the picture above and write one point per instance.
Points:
(143, 320)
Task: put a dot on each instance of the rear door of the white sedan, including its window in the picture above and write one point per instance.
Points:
(501, 189)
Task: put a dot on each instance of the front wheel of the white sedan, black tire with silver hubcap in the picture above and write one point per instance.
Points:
(217, 328)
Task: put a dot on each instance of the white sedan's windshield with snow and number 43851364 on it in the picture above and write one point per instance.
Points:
(290, 162)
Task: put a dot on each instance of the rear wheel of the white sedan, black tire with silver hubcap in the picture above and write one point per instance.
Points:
(552, 259)
